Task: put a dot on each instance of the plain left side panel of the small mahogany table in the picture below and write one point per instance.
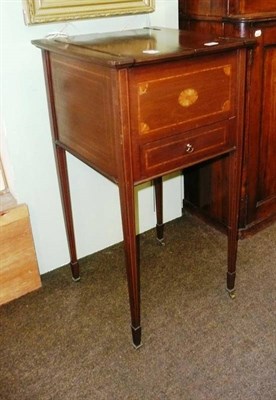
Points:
(84, 110)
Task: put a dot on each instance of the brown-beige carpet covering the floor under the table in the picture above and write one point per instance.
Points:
(73, 341)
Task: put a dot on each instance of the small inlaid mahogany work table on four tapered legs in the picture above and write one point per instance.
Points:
(139, 104)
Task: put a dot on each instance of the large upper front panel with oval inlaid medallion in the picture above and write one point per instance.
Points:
(178, 96)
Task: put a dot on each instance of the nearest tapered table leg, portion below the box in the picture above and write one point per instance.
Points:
(132, 266)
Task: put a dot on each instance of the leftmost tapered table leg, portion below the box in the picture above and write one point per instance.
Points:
(67, 209)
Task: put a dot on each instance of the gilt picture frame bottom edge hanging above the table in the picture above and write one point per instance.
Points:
(44, 11)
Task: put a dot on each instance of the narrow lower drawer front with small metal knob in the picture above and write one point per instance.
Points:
(182, 150)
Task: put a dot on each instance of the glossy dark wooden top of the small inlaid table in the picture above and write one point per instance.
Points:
(140, 46)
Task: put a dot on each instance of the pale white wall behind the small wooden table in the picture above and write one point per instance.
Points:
(26, 142)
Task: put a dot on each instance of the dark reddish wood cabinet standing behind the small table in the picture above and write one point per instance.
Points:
(203, 194)
